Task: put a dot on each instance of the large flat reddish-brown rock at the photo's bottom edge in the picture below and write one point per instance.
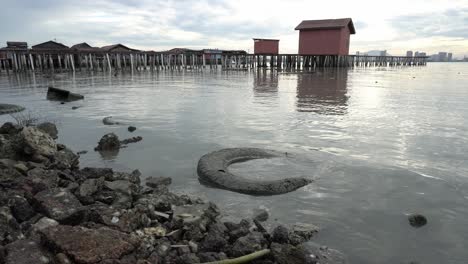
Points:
(88, 246)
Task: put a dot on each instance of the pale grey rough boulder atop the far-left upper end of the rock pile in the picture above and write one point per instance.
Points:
(37, 143)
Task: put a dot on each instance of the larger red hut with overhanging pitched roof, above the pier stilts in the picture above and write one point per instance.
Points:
(325, 37)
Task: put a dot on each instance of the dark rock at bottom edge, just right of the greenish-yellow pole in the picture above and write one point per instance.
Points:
(288, 254)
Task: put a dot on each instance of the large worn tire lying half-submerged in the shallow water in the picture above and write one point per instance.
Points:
(213, 170)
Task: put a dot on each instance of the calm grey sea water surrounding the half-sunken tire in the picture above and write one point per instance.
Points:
(380, 143)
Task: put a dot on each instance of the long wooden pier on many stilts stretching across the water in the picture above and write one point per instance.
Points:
(72, 61)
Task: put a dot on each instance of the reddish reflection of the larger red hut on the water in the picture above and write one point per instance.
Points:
(323, 92)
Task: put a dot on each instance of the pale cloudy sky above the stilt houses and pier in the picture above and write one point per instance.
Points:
(396, 26)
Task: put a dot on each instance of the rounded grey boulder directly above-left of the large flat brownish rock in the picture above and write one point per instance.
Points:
(60, 205)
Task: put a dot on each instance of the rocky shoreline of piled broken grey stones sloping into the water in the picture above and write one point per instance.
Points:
(53, 211)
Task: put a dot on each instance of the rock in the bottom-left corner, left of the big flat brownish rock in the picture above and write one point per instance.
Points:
(26, 252)
